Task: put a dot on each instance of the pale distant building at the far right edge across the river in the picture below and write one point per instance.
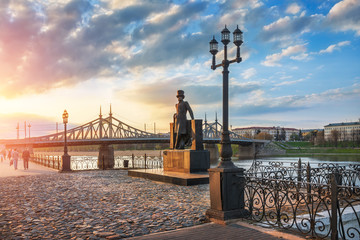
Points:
(348, 131)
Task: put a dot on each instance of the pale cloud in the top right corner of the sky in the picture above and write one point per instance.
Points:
(344, 16)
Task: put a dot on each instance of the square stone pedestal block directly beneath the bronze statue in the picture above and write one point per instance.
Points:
(186, 160)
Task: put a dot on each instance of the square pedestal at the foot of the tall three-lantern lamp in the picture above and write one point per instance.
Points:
(226, 194)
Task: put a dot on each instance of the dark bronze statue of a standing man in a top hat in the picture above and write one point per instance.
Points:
(182, 134)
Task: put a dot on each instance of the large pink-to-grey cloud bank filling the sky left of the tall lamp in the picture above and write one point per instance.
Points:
(47, 45)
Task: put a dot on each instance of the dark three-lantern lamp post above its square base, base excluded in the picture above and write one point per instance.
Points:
(226, 151)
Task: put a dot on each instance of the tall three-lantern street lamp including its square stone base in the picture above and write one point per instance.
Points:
(226, 180)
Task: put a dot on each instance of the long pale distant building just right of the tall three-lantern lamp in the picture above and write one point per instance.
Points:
(273, 131)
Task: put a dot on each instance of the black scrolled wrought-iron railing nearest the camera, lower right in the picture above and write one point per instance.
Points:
(316, 210)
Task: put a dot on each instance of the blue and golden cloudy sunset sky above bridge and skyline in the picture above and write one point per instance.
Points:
(300, 62)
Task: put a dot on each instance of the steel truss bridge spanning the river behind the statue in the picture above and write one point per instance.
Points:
(110, 130)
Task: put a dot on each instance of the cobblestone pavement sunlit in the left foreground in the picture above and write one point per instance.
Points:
(95, 205)
